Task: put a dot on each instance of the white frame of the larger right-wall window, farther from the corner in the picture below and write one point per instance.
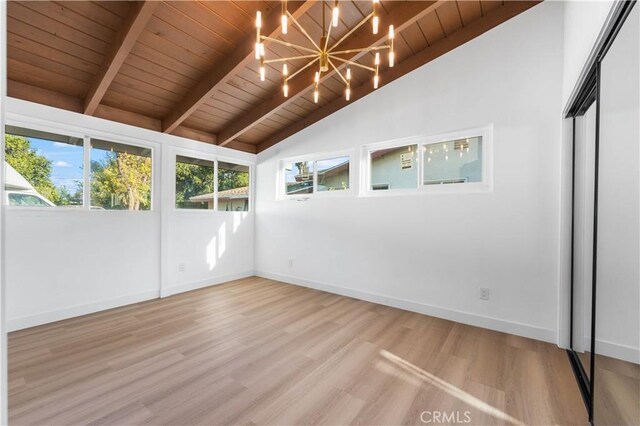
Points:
(486, 185)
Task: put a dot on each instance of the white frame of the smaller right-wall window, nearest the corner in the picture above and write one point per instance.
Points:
(349, 192)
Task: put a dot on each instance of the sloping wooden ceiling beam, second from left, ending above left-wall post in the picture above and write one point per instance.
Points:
(233, 64)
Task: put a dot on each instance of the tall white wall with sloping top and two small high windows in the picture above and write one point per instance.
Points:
(432, 253)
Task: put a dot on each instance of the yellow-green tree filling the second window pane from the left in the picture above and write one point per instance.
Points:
(121, 180)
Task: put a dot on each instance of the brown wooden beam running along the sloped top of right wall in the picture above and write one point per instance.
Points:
(465, 34)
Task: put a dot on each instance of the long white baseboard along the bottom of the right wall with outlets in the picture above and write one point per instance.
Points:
(505, 326)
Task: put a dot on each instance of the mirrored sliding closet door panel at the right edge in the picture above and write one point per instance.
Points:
(617, 360)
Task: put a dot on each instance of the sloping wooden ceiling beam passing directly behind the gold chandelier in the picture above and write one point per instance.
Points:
(401, 16)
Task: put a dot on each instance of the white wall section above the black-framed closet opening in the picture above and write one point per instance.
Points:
(583, 24)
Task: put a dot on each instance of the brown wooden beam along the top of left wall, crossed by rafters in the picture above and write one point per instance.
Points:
(18, 90)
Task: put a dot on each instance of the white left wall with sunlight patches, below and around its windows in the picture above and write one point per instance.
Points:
(63, 263)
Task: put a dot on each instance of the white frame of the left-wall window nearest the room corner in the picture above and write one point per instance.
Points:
(183, 152)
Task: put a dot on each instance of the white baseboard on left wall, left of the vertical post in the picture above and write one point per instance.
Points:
(14, 324)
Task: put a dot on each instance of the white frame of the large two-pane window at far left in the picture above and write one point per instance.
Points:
(86, 135)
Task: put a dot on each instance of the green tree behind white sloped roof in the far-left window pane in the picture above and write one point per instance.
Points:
(35, 168)
